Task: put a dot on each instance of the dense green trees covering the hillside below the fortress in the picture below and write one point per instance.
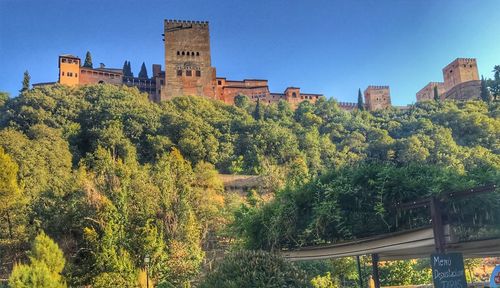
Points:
(112, 177)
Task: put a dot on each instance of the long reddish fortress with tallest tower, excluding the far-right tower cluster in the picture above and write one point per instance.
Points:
(189, 71)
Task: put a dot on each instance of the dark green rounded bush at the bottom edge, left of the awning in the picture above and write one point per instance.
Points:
(255, 269)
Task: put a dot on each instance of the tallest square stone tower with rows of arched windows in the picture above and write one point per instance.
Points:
(188, 69)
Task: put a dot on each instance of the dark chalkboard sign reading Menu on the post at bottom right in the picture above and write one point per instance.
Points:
(448, 270)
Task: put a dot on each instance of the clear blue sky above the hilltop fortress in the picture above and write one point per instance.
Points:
(330, 47)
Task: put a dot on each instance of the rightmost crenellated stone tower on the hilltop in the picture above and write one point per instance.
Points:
(459, 71)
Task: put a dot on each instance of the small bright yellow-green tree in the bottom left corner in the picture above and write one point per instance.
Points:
(46, 264)
